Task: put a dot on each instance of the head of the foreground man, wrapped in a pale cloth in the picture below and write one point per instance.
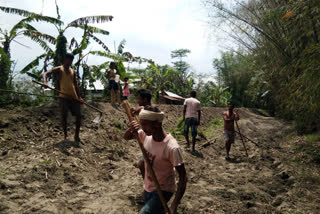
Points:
(151, 120)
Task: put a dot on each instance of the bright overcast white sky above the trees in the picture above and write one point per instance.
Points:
(151, 28)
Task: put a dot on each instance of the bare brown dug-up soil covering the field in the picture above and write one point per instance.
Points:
(41, 173)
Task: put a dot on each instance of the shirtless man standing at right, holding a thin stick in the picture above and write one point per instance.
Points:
(229, 117)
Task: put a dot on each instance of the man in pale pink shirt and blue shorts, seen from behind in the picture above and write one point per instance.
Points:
(191, 117)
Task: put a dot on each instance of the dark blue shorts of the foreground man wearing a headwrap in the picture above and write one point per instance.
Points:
(153, 203)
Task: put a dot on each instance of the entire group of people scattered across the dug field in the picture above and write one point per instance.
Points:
(164, 153)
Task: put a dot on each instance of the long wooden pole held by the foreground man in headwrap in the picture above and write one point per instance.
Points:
(126, 105)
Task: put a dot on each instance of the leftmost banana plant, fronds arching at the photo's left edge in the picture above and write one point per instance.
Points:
(22, 28)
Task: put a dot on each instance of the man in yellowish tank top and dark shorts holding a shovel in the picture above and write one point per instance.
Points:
(70, 95)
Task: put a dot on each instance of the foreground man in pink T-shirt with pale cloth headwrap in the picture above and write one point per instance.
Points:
(165, 157)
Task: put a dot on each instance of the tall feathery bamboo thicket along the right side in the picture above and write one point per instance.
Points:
(279, 56)
